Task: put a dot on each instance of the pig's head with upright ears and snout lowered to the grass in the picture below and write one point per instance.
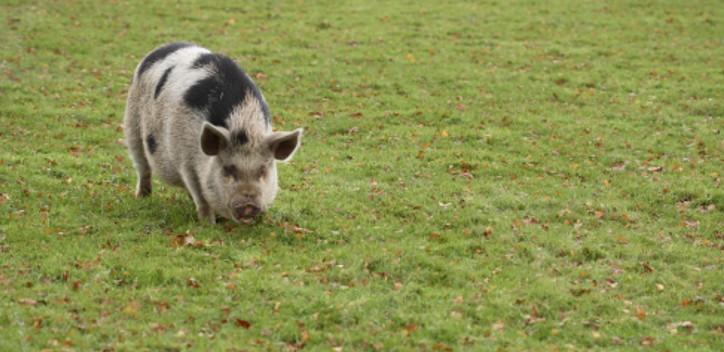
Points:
(241, 179)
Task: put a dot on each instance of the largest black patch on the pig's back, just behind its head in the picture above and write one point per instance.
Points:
(225, 89)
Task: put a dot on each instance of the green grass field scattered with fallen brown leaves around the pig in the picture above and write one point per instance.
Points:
(483, 175)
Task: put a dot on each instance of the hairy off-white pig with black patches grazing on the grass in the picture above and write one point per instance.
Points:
(196, 120)
